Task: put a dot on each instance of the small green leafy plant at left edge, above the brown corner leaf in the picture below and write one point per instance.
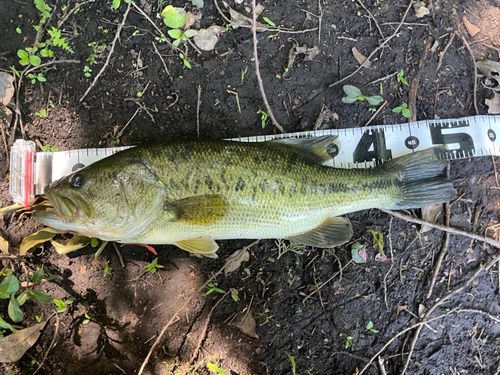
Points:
(10, 285)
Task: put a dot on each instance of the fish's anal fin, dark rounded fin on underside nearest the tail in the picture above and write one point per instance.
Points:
(333, 231)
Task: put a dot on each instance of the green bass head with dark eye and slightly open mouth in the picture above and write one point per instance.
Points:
(110, 199)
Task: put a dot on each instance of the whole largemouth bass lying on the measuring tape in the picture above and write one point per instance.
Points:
(191, 193)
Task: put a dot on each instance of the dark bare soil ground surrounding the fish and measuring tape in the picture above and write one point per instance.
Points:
(116, 317)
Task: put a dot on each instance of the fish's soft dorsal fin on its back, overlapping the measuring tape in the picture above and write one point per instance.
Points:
(319, 149)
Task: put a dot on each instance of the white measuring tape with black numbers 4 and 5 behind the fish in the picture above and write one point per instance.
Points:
(363, 147)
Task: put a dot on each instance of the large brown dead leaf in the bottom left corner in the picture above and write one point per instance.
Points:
(13, 347)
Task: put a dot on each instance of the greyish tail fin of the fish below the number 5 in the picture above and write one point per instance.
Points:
(420, 179)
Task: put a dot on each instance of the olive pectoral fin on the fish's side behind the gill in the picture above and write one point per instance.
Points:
(198, 210)
